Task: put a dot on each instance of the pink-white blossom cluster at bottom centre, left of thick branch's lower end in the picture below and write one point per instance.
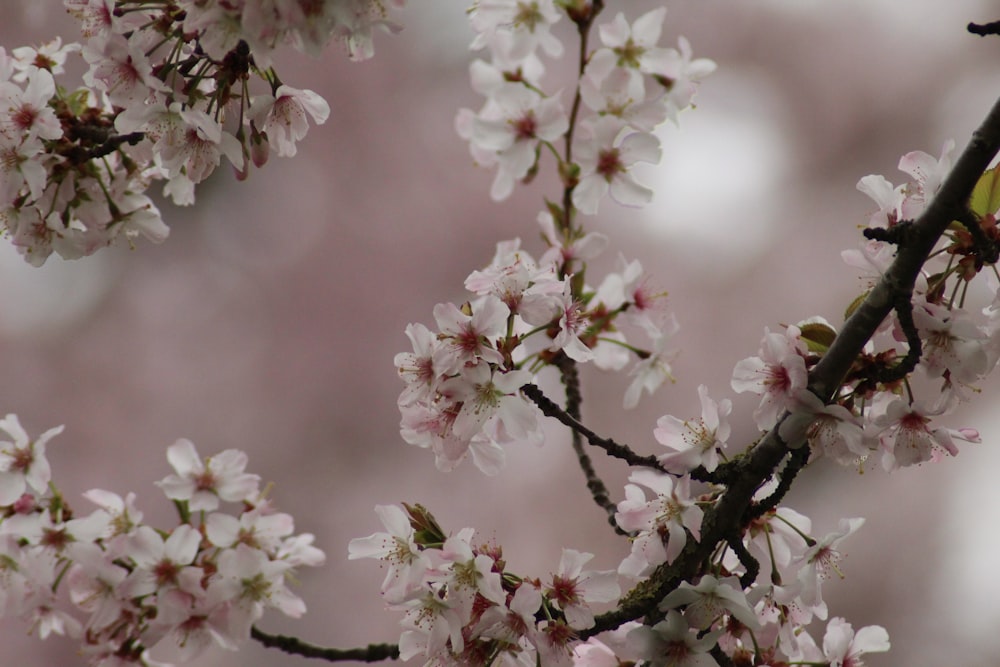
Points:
(462, 608)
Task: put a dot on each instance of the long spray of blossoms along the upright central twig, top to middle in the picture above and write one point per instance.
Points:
(463, 381)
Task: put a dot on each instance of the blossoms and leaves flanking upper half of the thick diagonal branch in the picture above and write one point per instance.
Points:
(937, 339)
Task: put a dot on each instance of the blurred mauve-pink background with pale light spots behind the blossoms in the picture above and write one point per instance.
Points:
(269, 320)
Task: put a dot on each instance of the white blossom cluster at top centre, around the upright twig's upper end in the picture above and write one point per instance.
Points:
(628, 87)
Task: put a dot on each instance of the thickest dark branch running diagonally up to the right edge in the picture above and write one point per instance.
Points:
(730, 512)
